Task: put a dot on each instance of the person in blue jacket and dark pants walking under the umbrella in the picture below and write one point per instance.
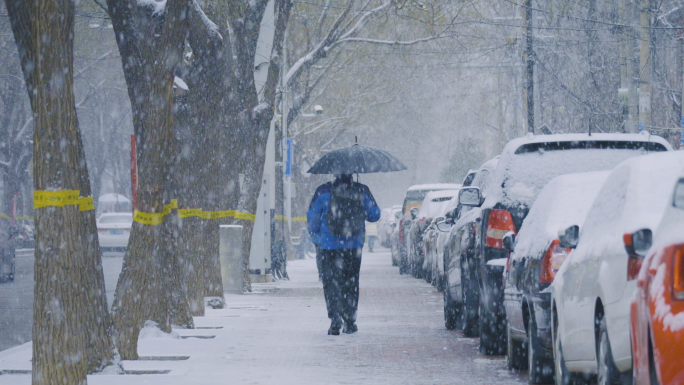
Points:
(337, 216)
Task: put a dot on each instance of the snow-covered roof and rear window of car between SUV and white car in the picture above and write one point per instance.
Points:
(564, 201)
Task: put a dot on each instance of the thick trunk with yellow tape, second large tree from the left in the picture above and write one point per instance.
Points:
(150, 50)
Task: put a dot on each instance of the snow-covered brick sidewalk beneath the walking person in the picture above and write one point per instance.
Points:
(278, 335)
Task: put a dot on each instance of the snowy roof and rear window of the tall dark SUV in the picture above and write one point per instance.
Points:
(527, 164)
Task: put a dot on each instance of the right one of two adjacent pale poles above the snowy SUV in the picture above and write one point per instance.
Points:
(646, 67)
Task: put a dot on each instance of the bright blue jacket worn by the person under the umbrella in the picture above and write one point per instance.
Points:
(319, 228)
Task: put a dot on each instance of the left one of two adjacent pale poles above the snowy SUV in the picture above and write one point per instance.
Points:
(627, 93)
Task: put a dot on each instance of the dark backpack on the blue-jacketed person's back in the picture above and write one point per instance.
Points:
(346, 215)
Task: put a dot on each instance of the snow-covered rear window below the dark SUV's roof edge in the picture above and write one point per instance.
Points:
(523, 175)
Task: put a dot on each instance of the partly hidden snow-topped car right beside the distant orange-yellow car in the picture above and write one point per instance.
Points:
(421, 219)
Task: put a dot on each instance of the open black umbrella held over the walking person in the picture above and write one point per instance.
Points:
(356, 159)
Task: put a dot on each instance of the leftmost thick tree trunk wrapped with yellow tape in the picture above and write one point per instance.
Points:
(68, 321)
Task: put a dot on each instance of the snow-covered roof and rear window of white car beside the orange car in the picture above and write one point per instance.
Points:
(634, 197)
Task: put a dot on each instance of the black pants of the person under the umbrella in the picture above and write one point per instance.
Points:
(341, 282)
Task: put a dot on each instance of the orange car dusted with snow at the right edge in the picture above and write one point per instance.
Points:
(657, 310)
